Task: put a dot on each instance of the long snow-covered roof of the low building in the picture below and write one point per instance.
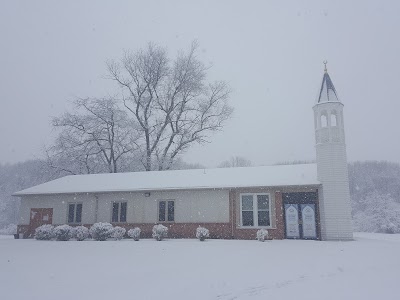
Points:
(280, 175)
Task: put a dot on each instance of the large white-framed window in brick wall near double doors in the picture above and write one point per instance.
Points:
(255, 210)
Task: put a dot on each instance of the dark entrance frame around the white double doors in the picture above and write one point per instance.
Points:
(298, 198)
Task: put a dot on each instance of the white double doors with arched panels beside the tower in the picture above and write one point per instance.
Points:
(300, 221)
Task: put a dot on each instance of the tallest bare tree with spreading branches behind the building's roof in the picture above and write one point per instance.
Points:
(171, 101)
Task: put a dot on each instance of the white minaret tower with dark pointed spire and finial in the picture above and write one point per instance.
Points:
(334, 197)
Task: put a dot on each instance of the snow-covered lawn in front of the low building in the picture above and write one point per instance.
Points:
(367, 268)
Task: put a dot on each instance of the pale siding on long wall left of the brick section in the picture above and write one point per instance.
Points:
(201, 206)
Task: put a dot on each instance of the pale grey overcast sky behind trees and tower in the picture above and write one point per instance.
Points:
(270, 52)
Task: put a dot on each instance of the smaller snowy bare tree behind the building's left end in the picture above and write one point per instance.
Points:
(97, 136)
